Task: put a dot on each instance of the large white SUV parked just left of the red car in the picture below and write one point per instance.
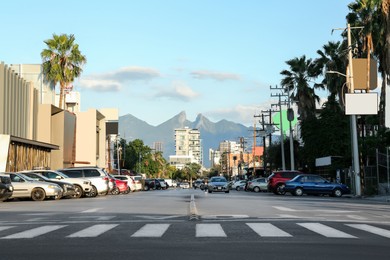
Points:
(98, 177)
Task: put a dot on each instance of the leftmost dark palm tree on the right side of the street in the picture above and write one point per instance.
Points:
(301, 72)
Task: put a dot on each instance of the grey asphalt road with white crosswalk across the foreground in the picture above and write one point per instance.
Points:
(191, 224)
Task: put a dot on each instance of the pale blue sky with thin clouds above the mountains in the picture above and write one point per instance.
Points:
(156, 58)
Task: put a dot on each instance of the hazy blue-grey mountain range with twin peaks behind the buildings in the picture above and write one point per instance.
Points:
(211, 133)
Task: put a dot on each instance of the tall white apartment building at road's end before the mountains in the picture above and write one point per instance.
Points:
(188, 147)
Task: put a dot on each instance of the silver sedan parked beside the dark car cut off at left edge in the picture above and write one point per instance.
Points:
(25, 187)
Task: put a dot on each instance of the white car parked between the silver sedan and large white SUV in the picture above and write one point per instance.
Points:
(82, 186)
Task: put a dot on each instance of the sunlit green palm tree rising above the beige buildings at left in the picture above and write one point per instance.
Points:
(62, 61)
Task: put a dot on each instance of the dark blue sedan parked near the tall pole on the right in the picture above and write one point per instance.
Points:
(315, 184)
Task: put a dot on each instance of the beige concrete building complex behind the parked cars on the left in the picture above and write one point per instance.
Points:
(35, 133)
